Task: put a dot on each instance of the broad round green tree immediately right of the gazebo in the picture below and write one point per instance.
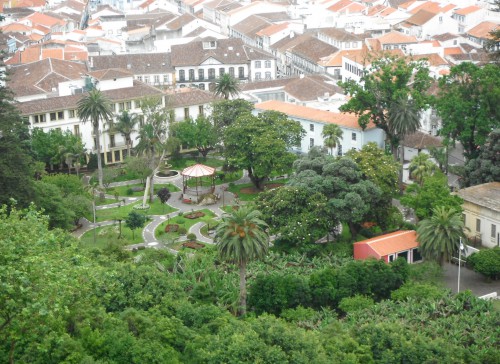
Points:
(260, 144)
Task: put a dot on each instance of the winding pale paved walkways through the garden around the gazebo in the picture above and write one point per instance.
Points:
(175, 201)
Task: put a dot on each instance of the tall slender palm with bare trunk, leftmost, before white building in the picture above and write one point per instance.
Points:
(93, 107)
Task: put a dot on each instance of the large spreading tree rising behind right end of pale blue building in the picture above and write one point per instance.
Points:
(389, 91)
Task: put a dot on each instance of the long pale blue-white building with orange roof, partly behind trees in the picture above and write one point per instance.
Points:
(313, 121)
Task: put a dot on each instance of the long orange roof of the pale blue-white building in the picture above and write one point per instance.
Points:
(346, 120)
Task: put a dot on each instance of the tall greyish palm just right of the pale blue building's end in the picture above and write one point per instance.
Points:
(403, 119)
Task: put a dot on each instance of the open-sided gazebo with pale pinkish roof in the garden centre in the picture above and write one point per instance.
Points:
(204, 177)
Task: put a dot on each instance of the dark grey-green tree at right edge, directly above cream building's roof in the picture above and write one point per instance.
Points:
(486, 167)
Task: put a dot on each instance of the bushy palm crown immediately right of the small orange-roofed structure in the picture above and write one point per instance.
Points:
(439, 236)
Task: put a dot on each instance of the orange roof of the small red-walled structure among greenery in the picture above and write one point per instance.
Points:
(392, 243)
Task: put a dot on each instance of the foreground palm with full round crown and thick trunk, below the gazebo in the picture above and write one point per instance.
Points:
(242, 237)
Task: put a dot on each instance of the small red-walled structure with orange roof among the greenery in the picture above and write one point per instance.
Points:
(389, 247)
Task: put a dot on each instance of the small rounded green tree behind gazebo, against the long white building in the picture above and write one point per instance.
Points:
(200, 134)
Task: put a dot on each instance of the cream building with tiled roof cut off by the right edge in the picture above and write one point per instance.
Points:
(481, 213)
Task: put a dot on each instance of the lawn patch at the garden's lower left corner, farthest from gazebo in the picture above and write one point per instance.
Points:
(107, 234)
